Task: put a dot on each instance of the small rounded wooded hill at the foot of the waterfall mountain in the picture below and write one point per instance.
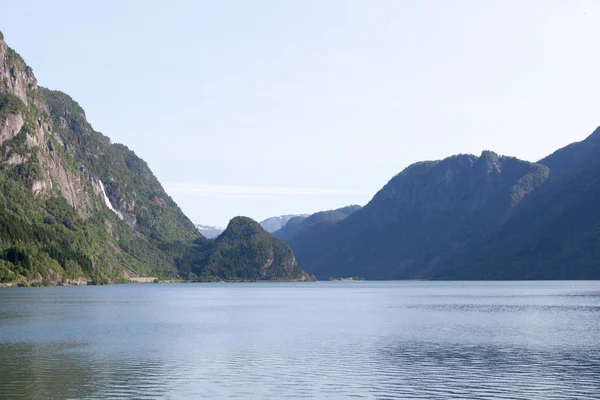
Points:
(244, 251)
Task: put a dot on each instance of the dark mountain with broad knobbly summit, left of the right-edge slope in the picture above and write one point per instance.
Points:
(424, 215)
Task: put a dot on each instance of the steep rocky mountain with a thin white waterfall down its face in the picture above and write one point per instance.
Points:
(76, 207)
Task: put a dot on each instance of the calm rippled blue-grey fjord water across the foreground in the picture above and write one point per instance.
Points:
(373, 340)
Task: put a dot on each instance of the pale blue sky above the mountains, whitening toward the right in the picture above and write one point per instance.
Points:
(263, 107)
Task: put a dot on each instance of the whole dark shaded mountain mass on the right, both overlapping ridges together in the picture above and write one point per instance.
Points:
(468, 217)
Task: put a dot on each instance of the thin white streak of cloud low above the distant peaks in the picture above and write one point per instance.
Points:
(208, 190)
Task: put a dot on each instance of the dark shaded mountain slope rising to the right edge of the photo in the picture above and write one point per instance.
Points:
(555, 233)
